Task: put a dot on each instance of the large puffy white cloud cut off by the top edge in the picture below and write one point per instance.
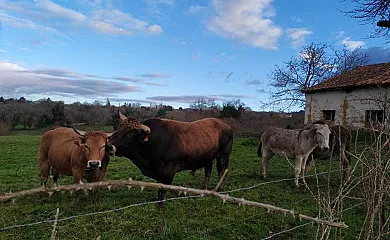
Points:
(247, 21)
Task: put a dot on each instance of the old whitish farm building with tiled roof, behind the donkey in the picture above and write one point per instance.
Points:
(354, 99)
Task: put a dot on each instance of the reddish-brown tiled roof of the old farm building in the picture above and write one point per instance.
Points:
(363, 76)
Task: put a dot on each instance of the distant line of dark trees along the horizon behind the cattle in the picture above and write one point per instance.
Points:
(22, 113)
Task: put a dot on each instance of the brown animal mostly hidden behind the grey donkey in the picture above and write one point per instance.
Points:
(339, 143)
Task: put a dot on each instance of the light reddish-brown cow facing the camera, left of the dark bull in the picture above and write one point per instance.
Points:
(74, 153)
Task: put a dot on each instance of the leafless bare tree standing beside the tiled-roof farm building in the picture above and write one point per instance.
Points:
(315, 63)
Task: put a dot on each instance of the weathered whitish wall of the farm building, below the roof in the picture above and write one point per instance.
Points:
(349, 109)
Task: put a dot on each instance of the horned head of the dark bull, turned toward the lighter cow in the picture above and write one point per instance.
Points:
(130, 132)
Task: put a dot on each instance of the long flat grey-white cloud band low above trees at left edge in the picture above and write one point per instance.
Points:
(17, 80)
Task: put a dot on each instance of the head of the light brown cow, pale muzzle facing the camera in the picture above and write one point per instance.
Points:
(95, 145)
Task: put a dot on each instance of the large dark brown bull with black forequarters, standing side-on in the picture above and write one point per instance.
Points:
(160, 147)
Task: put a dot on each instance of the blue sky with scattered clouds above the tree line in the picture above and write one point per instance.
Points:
(164, 51)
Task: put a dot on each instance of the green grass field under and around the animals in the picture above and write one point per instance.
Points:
(196, 218)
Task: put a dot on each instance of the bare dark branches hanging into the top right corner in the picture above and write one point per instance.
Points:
(373, 12)
